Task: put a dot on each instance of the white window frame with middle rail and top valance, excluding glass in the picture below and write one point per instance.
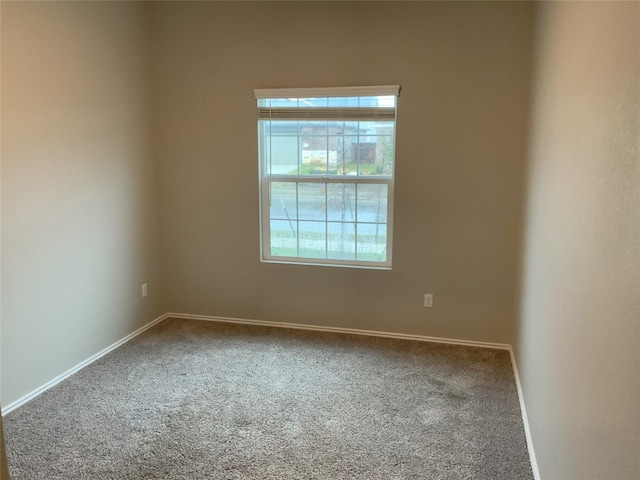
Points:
(266, 176)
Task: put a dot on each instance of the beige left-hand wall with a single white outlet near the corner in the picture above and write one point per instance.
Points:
(79, 196)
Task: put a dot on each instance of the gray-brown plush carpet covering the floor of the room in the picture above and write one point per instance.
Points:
(199, 400)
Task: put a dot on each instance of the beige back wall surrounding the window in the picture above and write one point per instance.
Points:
(464, 71)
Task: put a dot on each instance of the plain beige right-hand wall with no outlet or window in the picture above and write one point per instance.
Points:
(578, 344)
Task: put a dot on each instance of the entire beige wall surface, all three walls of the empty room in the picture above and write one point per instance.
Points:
(112, 130)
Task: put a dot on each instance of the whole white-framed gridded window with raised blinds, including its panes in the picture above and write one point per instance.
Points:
(326, 174)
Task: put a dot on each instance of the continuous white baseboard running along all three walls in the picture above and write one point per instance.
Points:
(298, 326)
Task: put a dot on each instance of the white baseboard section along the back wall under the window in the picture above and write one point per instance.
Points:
(352, 331)
